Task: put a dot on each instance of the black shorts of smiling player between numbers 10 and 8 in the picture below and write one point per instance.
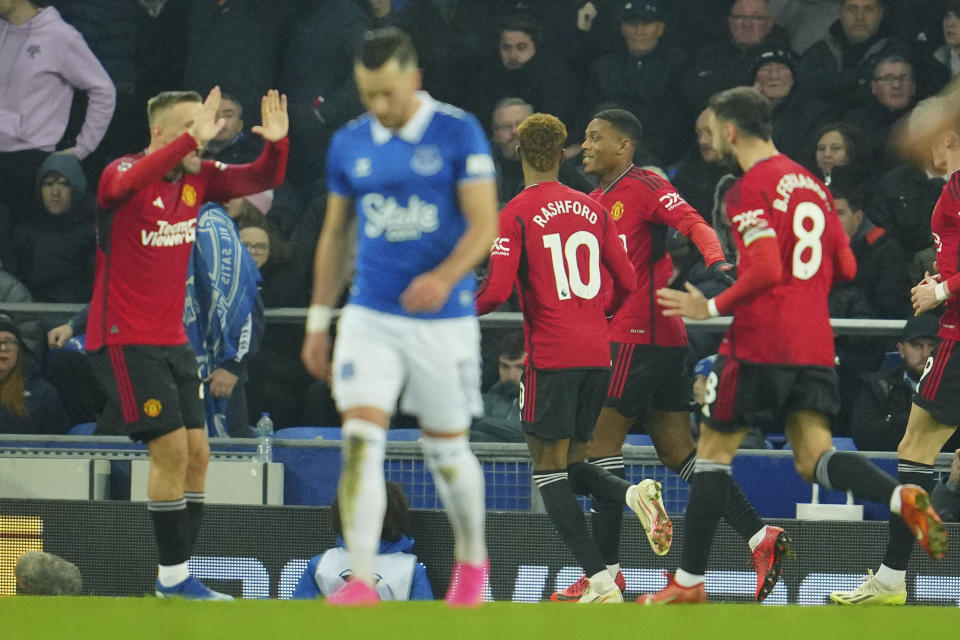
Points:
(648, 376)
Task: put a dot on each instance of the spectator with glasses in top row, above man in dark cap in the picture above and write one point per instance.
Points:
(729, 63)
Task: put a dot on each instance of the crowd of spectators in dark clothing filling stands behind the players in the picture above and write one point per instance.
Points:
(841, 74)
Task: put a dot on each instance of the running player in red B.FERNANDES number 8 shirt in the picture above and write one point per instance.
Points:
(792, 249)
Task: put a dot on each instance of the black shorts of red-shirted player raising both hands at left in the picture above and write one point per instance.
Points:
(151, 390)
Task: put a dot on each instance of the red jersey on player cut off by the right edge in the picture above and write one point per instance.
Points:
(945, 226)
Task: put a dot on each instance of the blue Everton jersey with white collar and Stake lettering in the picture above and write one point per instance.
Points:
(404, 187)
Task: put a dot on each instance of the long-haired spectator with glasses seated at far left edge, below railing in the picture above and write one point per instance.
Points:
(28, 403)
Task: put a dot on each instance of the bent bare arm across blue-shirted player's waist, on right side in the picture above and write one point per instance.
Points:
(429, 291)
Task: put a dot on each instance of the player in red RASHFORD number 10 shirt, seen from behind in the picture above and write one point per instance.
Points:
(552, 243)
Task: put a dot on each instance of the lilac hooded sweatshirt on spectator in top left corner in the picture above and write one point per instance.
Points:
(42, 61)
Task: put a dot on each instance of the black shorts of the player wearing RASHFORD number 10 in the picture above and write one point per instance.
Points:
(562, 404)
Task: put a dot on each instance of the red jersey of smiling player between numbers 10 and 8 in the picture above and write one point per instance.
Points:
(644, 206)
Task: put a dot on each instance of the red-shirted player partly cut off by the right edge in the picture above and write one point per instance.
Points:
(935, 413)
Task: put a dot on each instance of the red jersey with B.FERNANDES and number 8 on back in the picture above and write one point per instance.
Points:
(788, 323)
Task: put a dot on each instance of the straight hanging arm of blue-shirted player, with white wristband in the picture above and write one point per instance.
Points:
(329, 267)
